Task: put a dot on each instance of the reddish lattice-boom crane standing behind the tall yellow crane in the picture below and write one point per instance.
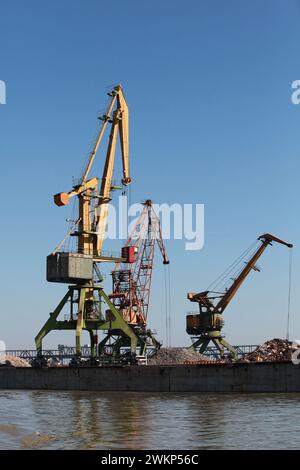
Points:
(132, 282)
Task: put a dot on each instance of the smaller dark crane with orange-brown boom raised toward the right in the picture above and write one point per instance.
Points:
(206, 326)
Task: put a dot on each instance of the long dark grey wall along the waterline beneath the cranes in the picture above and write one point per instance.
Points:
(280, 377)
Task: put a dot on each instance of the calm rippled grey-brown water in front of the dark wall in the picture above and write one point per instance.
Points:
(89, 420)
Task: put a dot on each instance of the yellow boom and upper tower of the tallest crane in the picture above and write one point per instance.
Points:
(91, 241)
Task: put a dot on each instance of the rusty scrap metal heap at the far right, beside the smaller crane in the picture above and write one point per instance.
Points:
(272, 351)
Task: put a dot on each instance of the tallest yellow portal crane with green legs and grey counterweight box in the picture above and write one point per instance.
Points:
(80, 269)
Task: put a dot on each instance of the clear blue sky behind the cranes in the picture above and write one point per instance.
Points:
(208, 84)
